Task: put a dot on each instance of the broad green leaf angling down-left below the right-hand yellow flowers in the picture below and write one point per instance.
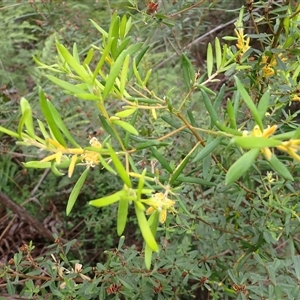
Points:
(241, 166)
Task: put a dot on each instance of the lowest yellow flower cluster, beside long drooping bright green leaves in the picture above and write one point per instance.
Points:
(161, 203)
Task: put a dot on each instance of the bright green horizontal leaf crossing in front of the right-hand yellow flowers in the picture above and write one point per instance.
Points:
(250, 142)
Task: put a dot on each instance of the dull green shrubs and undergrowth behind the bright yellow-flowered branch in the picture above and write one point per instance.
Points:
(234, 241)
